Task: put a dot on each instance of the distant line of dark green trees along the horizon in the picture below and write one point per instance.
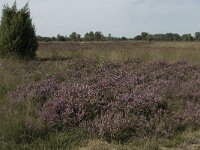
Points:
(144, 36)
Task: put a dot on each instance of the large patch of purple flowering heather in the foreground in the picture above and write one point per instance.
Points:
(119, 101)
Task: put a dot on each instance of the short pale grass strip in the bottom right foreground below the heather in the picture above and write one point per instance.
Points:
(185, 141)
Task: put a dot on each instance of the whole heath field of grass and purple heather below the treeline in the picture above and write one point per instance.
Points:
(102, 95)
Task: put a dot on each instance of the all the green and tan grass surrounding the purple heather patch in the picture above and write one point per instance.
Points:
(52, 58)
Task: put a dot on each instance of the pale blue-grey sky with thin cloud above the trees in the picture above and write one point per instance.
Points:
(118, 17)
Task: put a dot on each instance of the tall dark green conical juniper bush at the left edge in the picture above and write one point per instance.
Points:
(17, 33)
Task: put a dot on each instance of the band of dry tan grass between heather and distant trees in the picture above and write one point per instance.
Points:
(122, 51)
